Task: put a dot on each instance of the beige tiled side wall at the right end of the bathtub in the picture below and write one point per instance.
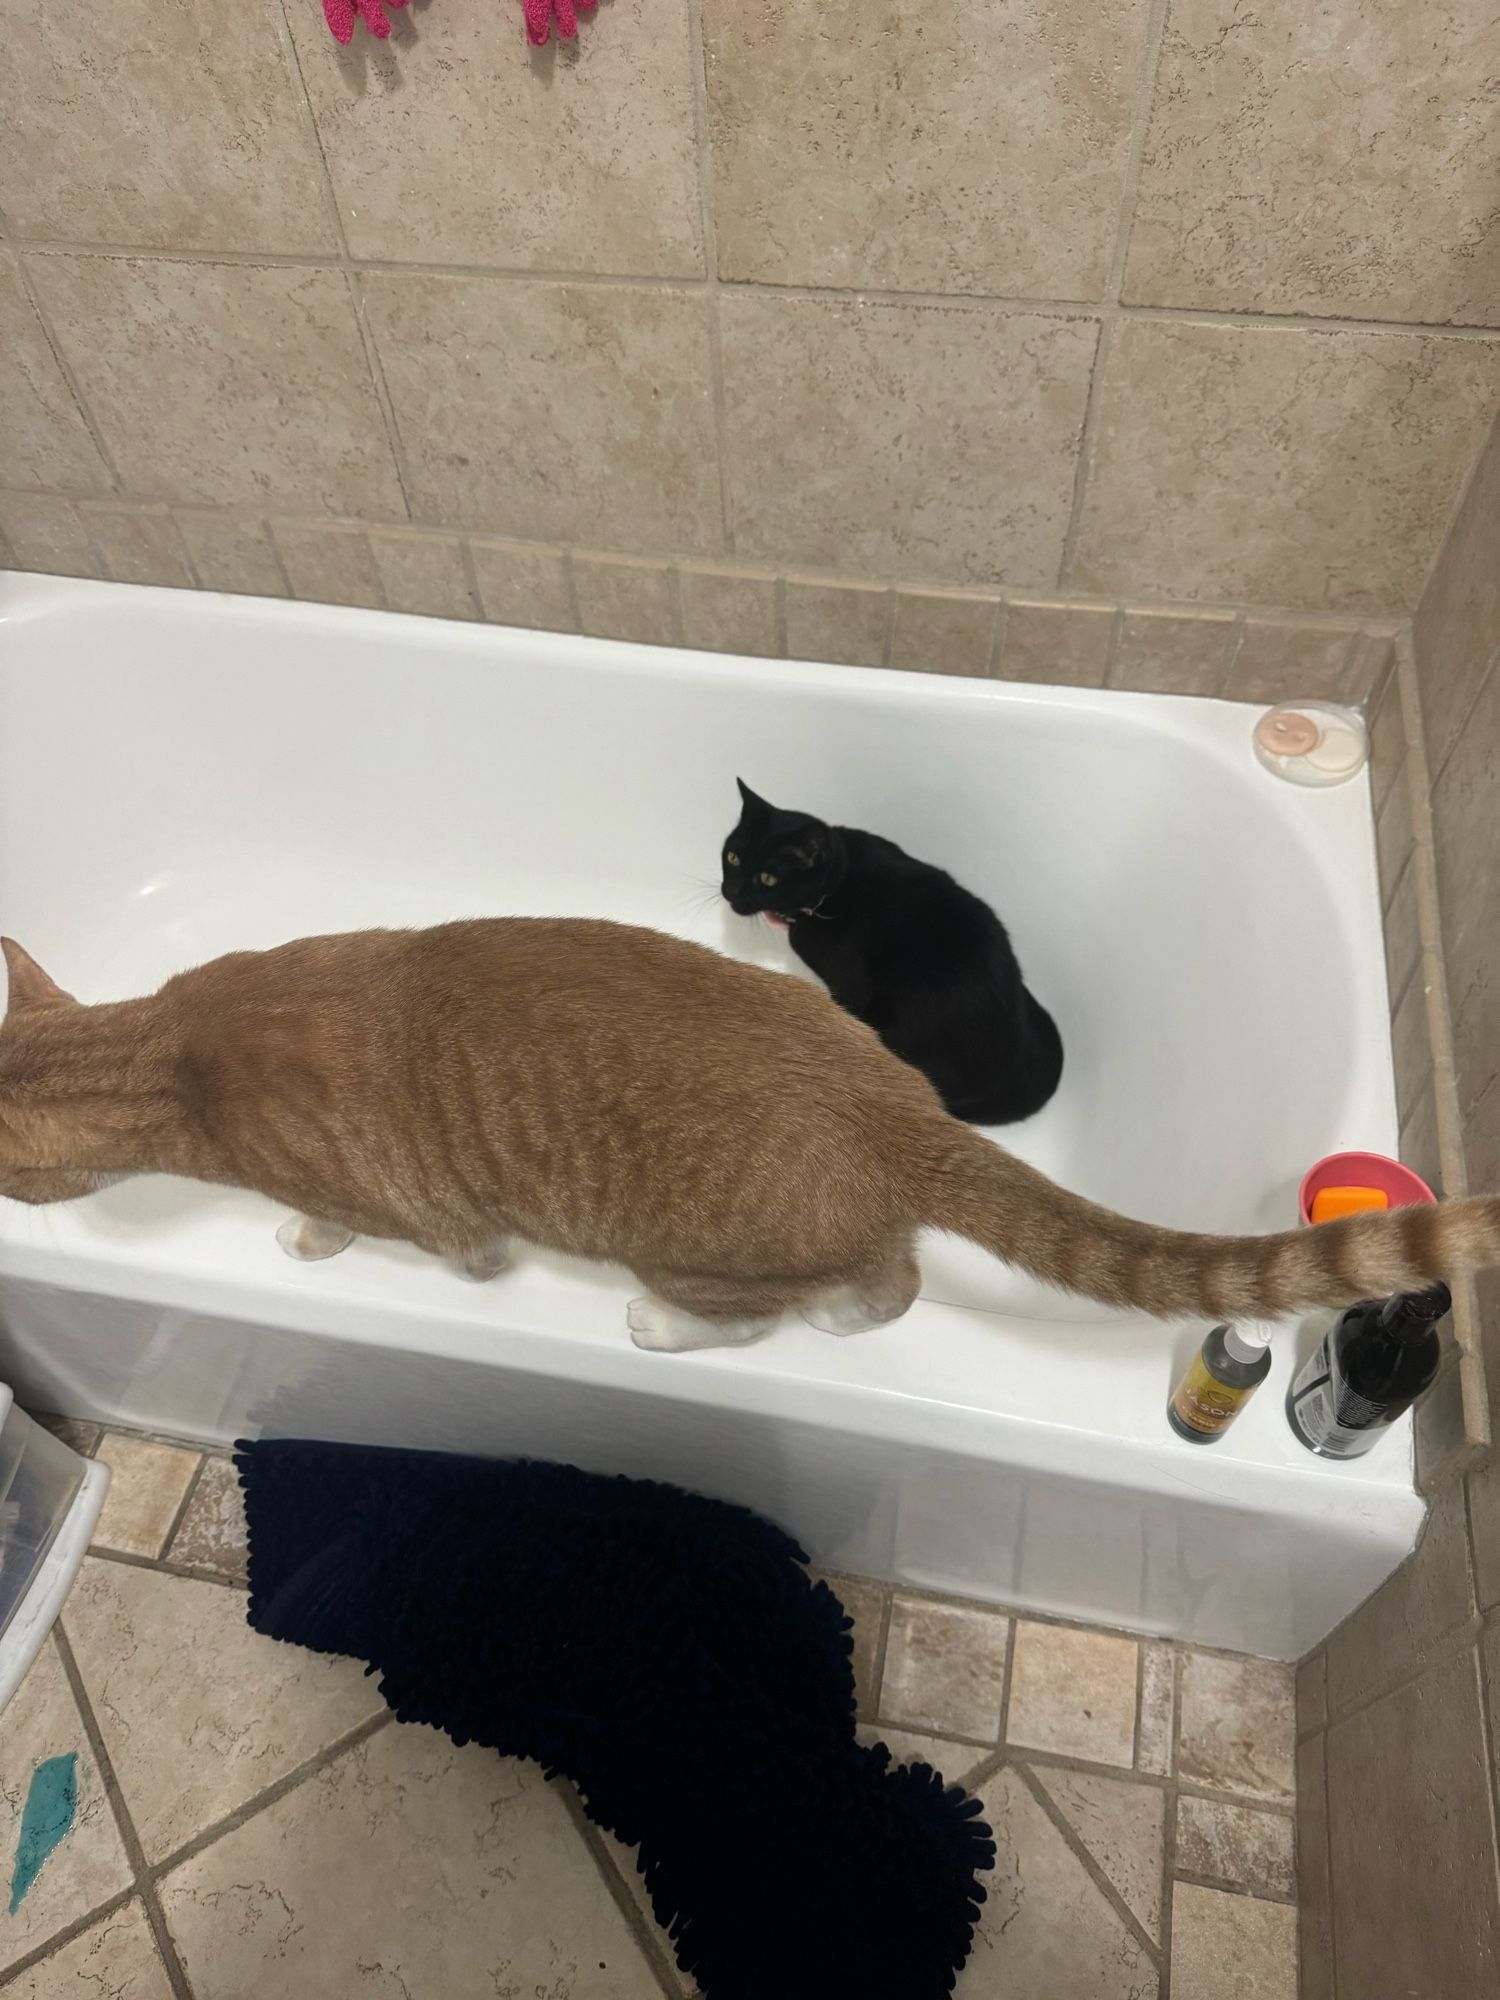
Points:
(1399, 1717)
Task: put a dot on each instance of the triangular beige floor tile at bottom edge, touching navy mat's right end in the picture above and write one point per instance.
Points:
(1047, 1931)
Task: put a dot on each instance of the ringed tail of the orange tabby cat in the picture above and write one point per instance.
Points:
(1025, 1219)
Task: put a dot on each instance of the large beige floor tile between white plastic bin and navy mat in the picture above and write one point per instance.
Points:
(199, 1713)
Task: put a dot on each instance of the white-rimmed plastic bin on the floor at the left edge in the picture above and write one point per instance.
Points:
(51, 1501)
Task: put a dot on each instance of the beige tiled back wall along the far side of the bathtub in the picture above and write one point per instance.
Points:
(1125, 343)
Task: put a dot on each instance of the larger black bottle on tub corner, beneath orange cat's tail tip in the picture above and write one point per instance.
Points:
(1367, 1371)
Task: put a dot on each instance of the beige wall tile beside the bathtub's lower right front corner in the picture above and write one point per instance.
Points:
(1407, 1621)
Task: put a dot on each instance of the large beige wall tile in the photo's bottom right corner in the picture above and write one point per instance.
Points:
(1415, 1907)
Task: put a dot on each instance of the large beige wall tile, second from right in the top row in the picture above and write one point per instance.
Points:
(951, 151)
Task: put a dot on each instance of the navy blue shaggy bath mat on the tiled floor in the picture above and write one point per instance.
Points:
(671, 1657)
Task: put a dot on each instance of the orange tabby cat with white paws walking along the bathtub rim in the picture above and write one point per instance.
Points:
(731, 1135)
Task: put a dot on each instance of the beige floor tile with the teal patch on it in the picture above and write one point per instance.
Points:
(89, 1865)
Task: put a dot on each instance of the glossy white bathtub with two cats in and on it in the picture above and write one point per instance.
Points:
(183, 775)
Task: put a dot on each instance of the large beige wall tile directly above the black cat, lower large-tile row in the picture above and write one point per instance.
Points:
(937, 443)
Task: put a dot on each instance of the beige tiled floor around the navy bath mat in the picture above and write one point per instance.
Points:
(253, 1827)
